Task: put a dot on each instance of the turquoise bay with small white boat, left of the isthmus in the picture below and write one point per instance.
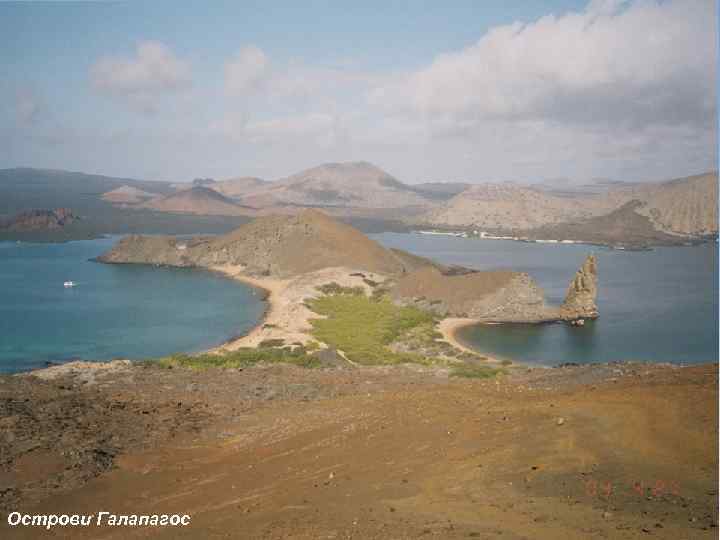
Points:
(114, 311)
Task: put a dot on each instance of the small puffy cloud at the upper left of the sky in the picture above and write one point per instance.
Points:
(153, 72)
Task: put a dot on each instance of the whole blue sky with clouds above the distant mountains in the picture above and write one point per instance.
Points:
(460, 90)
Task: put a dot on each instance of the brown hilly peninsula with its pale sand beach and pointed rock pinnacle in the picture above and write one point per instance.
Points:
(299, 257)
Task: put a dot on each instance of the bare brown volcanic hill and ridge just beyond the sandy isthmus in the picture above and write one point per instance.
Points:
(291, 246)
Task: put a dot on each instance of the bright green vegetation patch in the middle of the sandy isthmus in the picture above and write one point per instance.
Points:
(363, 328)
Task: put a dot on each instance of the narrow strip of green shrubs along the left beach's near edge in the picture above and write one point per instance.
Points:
(242, 358)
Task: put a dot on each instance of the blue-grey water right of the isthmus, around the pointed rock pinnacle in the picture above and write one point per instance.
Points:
(655, 306)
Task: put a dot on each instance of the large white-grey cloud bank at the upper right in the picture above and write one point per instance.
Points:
(639, 64)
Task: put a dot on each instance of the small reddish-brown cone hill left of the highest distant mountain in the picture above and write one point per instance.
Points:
(198, 200)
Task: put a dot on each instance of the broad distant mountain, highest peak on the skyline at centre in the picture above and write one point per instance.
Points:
(356, 184)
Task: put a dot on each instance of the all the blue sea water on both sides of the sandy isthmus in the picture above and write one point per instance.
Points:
(655, 306)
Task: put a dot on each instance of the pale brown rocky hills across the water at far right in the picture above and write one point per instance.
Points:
(684, 207)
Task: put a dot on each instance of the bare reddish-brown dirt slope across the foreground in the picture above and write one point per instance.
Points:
(611, 451)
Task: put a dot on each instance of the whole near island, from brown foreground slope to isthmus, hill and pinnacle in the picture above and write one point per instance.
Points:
(350, 412)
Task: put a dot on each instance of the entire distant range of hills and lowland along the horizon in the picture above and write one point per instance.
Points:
(685, 207)
